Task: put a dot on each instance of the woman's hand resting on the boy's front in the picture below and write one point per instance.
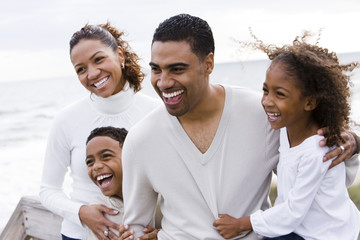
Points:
(93, 217)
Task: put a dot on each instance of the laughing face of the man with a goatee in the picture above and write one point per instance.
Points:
(178, 76)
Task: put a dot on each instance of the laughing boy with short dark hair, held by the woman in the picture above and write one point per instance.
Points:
(103, 159)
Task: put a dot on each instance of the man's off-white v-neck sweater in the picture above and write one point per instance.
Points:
(232, 177)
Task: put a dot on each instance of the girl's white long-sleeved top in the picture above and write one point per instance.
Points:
(312, 200)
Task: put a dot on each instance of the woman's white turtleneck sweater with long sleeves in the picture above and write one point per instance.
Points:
(66, 149)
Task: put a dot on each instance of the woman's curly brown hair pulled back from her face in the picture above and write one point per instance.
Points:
(112, 37)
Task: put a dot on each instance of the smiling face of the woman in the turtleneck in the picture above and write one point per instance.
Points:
(98, 67)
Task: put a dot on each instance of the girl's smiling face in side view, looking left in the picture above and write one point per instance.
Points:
(282, 99)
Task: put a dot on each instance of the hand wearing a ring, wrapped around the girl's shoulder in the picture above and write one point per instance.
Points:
(345, 150)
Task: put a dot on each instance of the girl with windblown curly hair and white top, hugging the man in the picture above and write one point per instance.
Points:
(305, 89)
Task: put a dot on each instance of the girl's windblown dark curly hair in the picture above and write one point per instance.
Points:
(321, 76)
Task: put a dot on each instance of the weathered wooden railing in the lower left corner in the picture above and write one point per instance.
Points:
(30, 220)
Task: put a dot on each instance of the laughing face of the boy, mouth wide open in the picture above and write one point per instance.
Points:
(103, 159)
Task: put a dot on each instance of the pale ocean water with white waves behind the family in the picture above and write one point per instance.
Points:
(27, 109)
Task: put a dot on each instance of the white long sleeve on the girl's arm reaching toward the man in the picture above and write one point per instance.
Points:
(285, 217)
